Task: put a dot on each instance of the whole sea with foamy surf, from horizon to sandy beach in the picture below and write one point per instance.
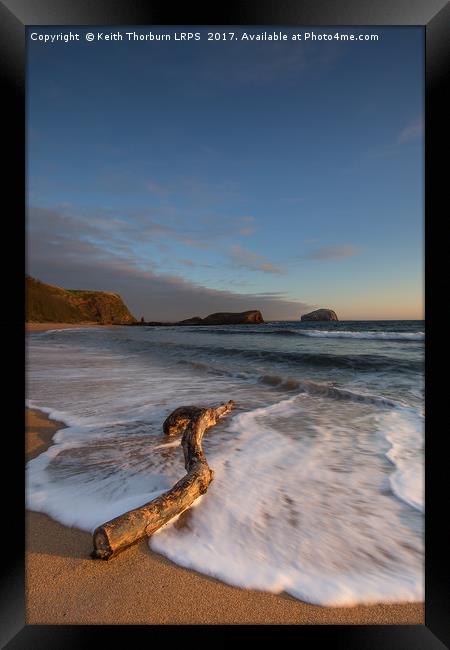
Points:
(319, 470)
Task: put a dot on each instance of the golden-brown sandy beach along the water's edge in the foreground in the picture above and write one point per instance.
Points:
(65, 586)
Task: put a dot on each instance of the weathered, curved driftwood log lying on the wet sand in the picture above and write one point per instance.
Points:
(114, 536)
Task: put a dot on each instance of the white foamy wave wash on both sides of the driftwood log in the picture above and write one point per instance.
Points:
(261, 524)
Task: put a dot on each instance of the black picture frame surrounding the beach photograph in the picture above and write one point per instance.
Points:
(434, 17)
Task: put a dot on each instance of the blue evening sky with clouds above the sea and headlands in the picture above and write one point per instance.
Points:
(201, 176)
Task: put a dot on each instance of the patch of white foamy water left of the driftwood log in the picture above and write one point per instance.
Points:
(87, 477)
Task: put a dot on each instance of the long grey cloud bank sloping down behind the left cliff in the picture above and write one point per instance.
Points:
(59, 253)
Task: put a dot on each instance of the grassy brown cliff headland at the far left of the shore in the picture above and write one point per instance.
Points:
(48, 303)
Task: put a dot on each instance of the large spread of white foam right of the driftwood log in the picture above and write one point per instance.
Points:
(307, 516)
